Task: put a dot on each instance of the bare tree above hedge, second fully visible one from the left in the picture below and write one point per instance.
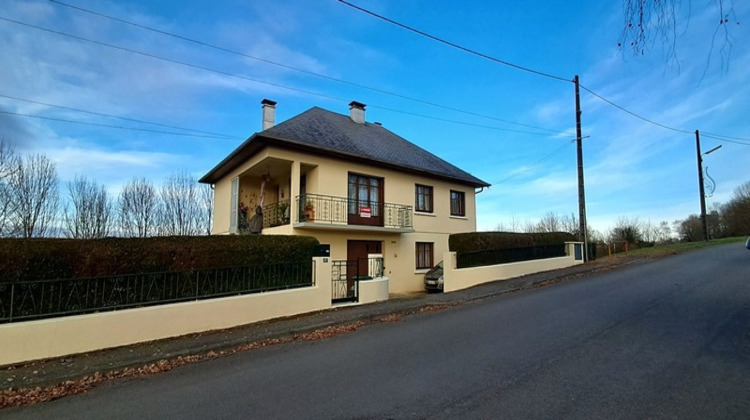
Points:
(89, 212)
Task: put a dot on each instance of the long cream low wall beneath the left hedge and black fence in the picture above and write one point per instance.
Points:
(32, 340)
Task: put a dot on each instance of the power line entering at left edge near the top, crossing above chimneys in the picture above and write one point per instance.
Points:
(224, 73)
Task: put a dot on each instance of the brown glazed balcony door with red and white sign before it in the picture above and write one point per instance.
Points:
(365, 200)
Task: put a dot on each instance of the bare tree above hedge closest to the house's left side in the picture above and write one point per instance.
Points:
(180, 210)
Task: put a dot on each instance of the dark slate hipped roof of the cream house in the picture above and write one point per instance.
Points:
(324, 132)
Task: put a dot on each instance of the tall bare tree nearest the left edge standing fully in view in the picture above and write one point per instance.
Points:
(33, 183)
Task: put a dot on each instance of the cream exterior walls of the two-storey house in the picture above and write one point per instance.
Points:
(328, 176)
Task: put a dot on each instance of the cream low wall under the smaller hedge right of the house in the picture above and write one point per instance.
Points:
(463, 278)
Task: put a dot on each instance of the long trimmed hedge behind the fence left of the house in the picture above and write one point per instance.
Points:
(35, 259)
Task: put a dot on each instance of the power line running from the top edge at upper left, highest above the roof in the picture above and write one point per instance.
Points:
(288, 67)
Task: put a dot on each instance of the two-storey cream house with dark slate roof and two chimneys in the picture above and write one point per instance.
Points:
(350, 183)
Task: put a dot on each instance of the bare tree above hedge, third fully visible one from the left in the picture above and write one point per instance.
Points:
(138, 208)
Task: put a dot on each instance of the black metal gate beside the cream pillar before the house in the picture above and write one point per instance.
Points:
(346, 275)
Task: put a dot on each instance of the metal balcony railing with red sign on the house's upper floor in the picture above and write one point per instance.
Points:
(331, 210)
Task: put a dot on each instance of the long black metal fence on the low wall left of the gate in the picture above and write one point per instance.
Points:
(29, 300)
